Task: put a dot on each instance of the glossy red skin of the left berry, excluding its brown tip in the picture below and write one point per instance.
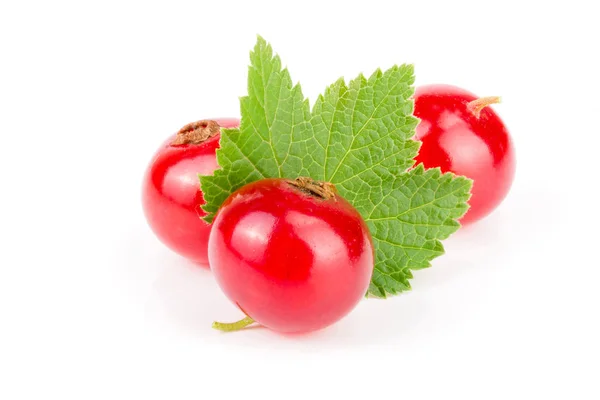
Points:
(171, 195)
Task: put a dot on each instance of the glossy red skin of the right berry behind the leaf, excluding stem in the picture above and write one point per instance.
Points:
(457, 141)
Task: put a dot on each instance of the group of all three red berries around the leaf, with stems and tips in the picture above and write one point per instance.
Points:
(292, 254)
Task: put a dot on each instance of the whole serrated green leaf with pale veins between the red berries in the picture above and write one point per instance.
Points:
(357, 136)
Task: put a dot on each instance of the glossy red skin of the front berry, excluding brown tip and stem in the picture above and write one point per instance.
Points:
(290, 261)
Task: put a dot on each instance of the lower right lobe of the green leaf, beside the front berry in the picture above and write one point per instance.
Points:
(419, 209)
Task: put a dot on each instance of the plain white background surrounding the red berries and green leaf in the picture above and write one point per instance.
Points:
(92, 306)
